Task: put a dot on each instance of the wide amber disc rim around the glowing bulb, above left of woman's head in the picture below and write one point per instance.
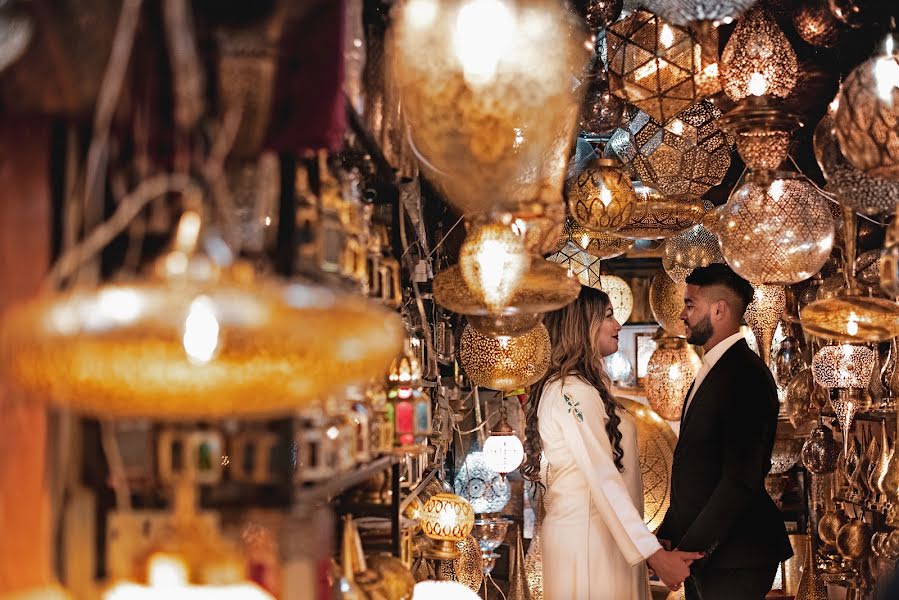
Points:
(544, 288)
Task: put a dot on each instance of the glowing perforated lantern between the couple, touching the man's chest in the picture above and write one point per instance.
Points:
(672, 369)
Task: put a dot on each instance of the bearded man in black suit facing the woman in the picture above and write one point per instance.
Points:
(719, 505)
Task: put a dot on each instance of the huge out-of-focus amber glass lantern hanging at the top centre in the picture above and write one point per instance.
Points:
(486, 97)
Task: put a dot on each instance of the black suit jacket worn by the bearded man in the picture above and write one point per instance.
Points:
(718, 500)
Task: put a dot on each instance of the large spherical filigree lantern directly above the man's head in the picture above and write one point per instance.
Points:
(776, 229)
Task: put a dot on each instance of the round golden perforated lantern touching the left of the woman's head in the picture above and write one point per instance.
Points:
(505, 364)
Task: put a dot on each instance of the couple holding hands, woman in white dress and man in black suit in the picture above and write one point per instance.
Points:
(722, 537)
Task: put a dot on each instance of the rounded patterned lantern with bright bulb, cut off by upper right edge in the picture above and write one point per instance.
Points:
(867, 119)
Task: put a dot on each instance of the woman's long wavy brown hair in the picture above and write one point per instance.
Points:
(573, 355)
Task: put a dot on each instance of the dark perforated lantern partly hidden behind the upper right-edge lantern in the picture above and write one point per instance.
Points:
(854, 188)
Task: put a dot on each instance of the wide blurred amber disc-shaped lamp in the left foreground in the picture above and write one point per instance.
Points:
(195, 340)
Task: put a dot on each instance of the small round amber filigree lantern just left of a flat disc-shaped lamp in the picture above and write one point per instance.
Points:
(602, 198)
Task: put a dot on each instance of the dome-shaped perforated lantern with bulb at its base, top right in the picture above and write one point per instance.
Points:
(758, 60)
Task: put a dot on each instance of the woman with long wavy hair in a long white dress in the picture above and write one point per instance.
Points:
(595, 544)
